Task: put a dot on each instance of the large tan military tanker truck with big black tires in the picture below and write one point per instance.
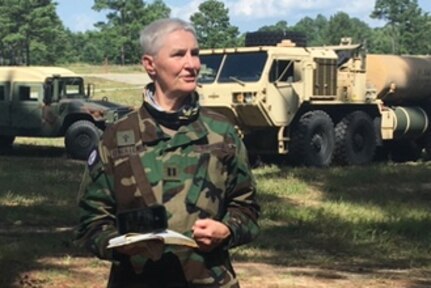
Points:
(321, 105)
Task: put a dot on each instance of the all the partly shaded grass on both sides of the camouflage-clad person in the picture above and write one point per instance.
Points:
(356, 219)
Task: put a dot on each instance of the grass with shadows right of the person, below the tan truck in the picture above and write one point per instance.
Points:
(364, 220)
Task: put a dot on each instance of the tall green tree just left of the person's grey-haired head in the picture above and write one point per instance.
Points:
(125, 19)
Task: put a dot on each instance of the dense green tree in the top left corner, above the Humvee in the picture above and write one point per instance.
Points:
(31, 32)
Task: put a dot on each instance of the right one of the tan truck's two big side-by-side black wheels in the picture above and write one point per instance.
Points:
(355, 139)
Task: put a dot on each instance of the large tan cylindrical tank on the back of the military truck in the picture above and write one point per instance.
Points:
(399, 79)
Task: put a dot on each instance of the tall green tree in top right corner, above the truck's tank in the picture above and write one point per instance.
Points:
(408, 25)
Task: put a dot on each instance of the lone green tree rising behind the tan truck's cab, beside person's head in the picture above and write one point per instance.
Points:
(213, 26)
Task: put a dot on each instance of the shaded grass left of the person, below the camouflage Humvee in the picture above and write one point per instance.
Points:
(38, 209)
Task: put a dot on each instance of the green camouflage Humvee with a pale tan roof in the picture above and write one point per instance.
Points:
(52, 102)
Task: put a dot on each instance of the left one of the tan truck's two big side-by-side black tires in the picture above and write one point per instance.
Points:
(313, 139)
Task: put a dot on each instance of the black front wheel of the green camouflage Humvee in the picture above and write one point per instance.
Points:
(81, 137)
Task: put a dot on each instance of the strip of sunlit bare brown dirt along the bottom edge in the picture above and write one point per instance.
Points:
(93, 273)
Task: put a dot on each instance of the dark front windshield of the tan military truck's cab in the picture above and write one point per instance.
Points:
(243, 67)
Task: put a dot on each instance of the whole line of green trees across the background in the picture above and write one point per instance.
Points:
(32, 33)
